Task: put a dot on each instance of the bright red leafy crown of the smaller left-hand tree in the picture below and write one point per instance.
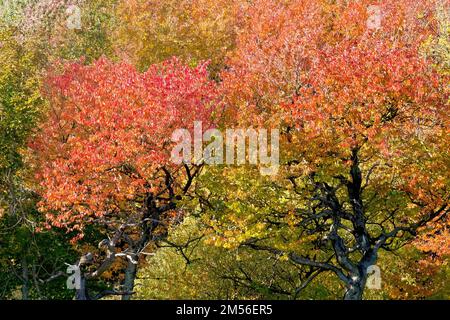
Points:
(108, 134)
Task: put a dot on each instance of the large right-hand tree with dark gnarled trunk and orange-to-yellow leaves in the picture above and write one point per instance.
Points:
(364, 116)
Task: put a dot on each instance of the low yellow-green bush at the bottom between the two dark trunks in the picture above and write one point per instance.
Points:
(187, 266)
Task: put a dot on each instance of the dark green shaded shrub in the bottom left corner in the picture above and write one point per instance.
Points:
(32, 263)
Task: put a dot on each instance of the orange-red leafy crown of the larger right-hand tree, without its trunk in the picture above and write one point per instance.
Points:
(340, 85)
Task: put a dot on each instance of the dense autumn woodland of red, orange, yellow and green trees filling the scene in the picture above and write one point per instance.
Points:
(358, 89)
